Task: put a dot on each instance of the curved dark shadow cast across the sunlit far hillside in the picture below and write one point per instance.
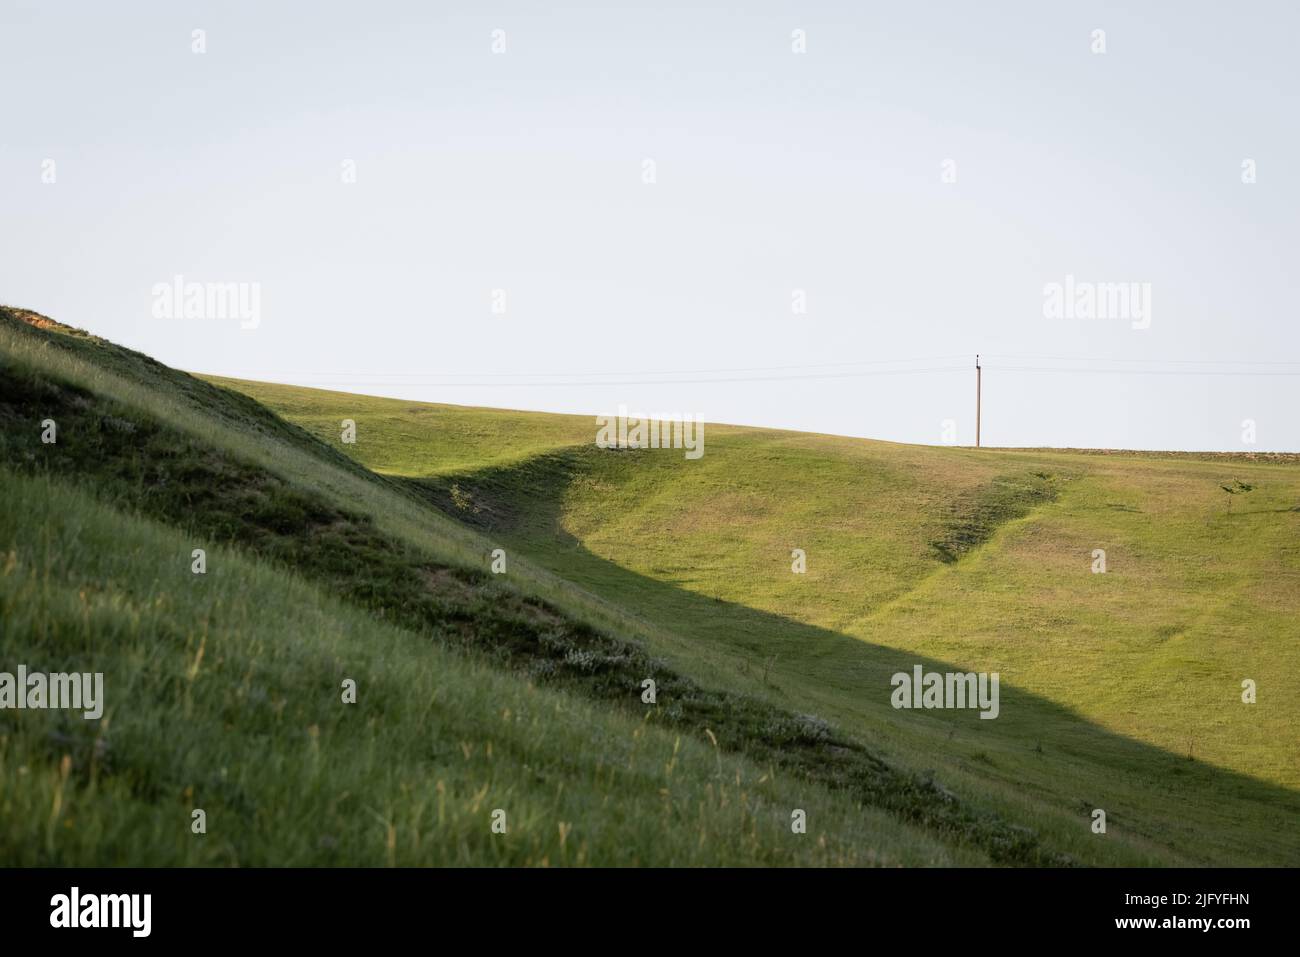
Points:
(522, 505)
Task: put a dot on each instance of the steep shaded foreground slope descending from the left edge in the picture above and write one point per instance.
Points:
(475, 694)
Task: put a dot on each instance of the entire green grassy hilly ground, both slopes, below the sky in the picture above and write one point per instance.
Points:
(523, 691)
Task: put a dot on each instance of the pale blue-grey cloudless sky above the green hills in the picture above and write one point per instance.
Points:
(775, 171)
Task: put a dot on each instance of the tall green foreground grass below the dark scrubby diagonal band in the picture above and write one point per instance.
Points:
(224, 694)
